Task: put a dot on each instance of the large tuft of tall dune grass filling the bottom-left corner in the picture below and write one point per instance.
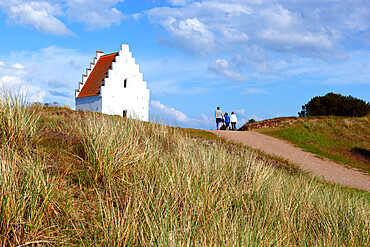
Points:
(29, 203)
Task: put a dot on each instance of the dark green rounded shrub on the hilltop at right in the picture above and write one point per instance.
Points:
(335, 105)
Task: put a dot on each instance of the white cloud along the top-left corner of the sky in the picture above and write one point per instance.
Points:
(48, 16)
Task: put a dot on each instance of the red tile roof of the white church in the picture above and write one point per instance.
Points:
(97, 76)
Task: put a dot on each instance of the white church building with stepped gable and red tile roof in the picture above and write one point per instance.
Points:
(114, 85)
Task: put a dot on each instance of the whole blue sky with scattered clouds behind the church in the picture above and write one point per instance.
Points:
(260, 59)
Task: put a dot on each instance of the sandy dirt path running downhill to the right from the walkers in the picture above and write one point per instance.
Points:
(321, 167)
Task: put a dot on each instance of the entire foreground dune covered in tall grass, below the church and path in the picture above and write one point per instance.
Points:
(73, 178)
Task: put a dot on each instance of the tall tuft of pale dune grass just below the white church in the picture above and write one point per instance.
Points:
(109, 146)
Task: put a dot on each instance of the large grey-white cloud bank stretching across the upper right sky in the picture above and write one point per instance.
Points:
(304, 28)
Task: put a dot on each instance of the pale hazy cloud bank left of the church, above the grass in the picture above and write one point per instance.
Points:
(44, 74)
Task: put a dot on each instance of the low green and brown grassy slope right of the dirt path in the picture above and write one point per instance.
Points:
(345, 140)
